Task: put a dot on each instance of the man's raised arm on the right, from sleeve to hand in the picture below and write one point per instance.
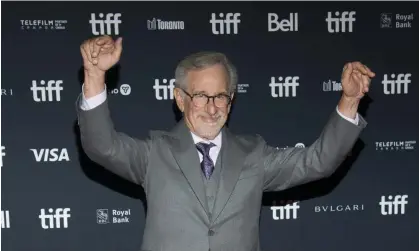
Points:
(295, 166)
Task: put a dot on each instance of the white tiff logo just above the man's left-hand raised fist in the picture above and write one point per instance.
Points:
(111, 20)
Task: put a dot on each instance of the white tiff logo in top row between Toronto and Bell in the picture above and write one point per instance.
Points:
(224, 25)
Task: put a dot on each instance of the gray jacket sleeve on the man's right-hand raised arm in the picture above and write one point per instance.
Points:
(286, 168)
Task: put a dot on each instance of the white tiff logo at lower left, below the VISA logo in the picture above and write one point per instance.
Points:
(54, 218)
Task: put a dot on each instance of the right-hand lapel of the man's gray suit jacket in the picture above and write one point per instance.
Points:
(232, 159)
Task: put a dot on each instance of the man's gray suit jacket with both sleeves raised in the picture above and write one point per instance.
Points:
(166, 164)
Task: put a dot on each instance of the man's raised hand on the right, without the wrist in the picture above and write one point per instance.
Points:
(356, 79)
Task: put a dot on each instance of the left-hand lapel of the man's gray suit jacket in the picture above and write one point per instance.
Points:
(187, 158)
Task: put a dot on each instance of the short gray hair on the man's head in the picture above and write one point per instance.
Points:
(202, 60)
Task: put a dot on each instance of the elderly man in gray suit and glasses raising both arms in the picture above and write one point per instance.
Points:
(203, 183)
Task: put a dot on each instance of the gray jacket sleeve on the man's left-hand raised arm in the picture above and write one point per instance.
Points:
(115, 151)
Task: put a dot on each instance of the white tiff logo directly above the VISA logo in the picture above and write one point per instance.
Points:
(48, 93)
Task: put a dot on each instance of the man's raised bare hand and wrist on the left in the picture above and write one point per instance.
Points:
(99, 54)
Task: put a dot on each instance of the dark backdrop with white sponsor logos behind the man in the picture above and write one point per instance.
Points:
(289, 58)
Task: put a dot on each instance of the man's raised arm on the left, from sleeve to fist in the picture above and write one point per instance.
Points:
(116, 151)
